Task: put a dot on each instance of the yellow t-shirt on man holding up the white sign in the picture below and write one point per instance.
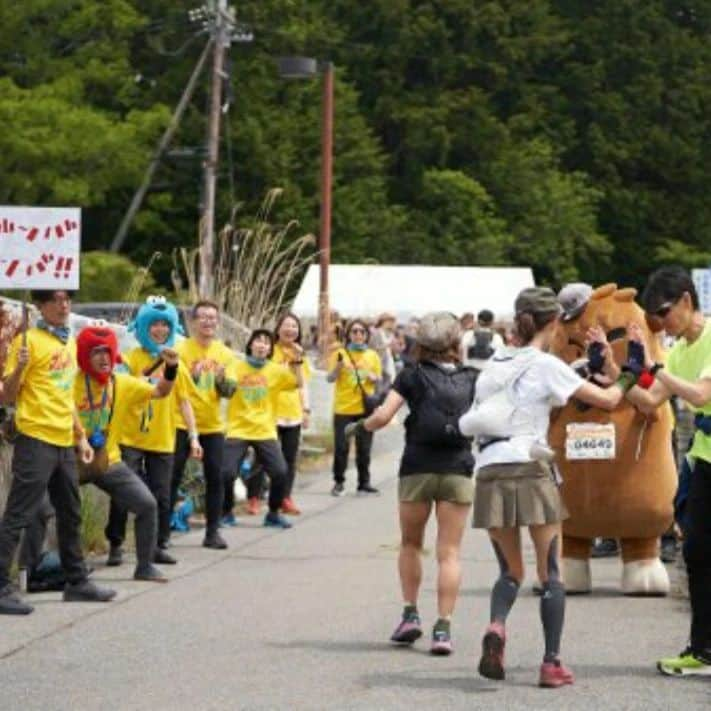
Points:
(44, 405)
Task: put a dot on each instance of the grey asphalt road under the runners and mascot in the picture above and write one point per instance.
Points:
(300, 620)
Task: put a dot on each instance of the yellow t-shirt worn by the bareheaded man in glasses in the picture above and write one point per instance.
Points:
(201, 364)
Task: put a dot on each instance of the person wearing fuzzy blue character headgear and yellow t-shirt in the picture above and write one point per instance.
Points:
(147, 447)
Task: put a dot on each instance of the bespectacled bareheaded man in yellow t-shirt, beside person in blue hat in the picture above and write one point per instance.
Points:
(210, 365)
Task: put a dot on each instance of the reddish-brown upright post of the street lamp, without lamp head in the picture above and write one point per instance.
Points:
(324, 313)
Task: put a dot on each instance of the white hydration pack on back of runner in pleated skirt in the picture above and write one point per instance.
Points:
(500, 415)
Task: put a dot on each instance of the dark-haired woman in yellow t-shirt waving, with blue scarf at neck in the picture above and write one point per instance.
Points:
(251, 416)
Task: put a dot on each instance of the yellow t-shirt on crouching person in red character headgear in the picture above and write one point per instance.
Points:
(114, 411)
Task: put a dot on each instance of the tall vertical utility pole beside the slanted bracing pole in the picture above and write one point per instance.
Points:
(207, 225)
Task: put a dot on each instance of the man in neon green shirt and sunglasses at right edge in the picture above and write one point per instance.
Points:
(670, 298)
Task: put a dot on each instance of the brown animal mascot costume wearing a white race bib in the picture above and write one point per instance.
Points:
(628, 497)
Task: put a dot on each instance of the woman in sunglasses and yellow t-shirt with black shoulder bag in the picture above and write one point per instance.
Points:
(354, 368)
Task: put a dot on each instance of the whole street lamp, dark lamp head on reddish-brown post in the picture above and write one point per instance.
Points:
(308, 68)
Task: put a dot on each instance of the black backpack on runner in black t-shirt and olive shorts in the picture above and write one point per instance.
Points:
(445, 397)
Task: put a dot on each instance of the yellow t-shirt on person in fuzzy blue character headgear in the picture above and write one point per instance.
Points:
(155, 430)
